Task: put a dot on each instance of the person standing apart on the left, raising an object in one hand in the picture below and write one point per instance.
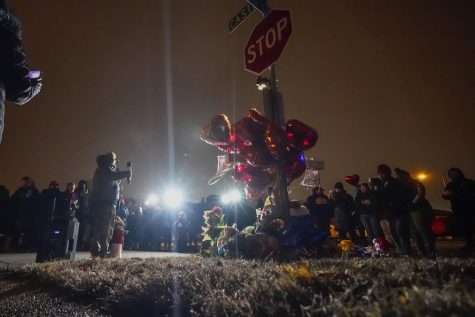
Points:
(105, 195)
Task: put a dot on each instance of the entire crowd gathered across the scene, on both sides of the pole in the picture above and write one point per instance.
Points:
(393, 209)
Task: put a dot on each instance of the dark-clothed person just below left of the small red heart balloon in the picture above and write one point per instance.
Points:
(344, 207)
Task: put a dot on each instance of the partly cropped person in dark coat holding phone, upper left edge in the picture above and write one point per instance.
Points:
(16, 84)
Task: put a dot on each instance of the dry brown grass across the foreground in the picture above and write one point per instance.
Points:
(227, 287)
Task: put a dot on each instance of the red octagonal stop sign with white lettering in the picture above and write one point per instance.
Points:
(267, 41)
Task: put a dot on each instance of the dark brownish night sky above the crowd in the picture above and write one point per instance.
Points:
(381, 81)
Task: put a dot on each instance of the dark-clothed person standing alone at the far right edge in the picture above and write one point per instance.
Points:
(461, 194)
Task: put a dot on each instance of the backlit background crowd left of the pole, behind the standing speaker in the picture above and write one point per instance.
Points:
(27, 212)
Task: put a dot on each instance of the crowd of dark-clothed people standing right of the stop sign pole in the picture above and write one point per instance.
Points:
(390, 210)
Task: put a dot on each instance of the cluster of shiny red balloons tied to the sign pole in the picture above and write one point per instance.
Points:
(258, 146)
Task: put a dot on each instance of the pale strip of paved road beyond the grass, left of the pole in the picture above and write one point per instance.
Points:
(16, 260)
